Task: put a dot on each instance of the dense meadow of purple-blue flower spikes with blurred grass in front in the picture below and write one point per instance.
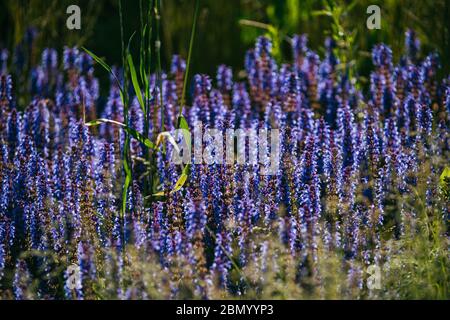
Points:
(358, 207)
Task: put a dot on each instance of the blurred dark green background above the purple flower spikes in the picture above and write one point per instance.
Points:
(223, 36)
